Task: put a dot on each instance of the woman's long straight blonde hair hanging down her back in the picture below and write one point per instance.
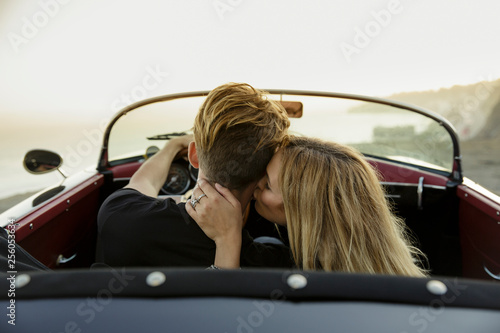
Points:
(338, 218)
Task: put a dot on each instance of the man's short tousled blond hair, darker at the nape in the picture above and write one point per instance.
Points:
(236, 133)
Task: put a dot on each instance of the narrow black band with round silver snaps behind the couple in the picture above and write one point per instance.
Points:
(255, 283)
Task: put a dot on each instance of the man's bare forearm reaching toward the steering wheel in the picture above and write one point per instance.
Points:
(153, 173)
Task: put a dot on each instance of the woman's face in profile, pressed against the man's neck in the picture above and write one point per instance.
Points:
(269, 202)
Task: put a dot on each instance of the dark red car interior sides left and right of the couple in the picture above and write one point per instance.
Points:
(448, 222)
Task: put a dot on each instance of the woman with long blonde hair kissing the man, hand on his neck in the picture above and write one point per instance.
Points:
(333, 205)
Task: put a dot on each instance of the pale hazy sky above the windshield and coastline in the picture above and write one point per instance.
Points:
(82, 59)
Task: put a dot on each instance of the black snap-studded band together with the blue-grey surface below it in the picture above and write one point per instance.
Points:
(132, 299)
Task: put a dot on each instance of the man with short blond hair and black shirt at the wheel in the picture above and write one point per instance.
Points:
(236, 132)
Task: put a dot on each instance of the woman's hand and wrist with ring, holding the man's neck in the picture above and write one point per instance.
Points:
(218, 213)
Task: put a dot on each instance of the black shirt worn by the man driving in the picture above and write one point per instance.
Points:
(138, 230)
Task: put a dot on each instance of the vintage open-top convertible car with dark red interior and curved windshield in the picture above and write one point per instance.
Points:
(454, 221)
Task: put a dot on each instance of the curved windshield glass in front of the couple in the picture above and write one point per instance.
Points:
(375, 129)
